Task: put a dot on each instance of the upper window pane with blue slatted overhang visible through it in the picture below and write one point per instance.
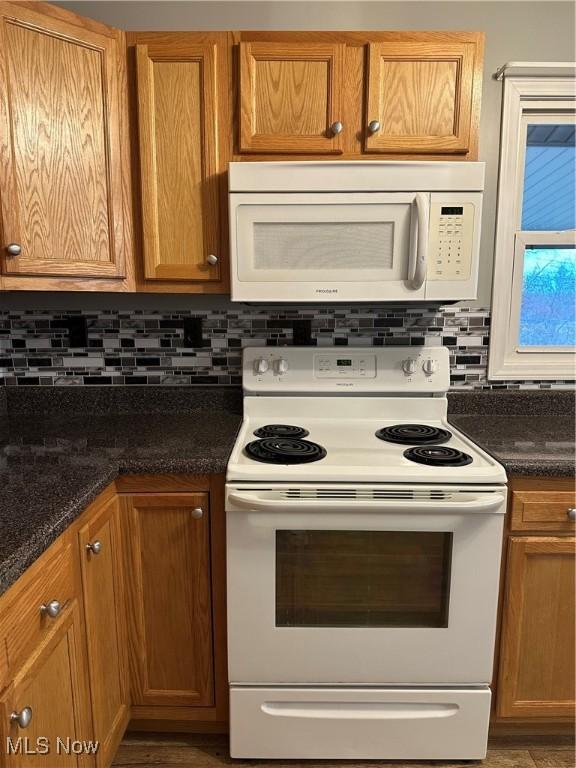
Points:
(548, 201)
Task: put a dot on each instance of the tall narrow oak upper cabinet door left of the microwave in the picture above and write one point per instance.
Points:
(178, 118)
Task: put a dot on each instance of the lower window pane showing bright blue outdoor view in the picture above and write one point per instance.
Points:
(548, 308)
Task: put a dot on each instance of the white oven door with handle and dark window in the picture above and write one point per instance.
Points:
(376, 586)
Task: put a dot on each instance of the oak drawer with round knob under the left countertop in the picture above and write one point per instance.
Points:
(24, 623)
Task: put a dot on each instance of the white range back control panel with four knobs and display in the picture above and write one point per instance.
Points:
(402, 370)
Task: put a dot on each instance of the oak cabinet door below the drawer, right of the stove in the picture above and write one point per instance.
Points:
(536, 677)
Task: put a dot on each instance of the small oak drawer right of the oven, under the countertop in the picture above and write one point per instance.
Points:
(543, 510)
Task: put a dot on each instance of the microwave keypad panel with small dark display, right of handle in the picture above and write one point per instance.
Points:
(451, 241)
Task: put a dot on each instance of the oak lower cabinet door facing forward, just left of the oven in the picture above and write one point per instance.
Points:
(168, 582)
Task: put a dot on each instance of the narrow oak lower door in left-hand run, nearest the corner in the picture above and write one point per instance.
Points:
(101, 564)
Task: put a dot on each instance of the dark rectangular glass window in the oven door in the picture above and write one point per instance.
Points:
(362, 578)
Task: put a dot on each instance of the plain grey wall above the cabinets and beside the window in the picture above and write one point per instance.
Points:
(515, 31)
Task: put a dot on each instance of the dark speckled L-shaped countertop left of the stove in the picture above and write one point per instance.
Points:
(53, 466)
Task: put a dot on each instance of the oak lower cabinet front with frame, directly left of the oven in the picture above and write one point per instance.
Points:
(175, 564)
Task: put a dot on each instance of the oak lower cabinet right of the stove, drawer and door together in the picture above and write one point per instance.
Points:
(536, 669)
